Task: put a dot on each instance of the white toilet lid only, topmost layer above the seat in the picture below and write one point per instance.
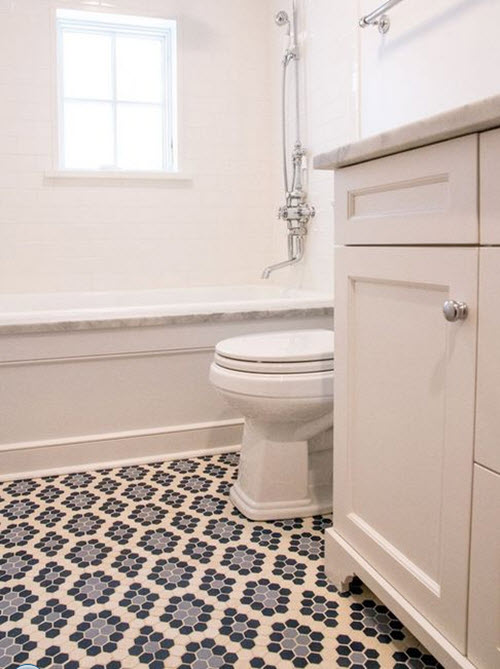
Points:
(295, 346)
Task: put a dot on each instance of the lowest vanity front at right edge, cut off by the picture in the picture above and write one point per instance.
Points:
(484, 608)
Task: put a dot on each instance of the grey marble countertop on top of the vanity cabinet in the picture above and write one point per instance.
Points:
(474, 117)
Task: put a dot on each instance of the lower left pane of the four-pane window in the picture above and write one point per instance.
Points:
(88, 135)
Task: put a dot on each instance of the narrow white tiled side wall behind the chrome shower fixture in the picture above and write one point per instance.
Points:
(328, 39)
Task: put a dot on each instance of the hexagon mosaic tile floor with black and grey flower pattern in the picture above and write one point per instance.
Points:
(151, 566)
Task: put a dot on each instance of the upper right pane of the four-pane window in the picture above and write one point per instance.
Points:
(139, 69)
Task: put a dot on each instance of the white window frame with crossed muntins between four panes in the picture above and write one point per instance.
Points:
(164, 30)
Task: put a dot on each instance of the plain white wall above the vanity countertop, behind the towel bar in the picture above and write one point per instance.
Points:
(438, 54)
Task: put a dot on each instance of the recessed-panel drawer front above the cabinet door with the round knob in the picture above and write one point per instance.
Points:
(424, 196)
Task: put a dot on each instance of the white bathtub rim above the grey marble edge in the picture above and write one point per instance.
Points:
(29, 308)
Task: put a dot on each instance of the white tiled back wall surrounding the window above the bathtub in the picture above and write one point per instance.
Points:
(76, 236)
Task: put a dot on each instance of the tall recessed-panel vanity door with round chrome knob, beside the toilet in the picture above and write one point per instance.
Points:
(404, 420)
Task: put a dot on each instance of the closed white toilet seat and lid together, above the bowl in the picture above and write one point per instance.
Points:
(291, 352)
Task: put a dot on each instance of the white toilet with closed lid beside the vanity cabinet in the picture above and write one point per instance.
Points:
(282, 383)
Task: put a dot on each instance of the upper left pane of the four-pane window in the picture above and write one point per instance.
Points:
(87, 65)
